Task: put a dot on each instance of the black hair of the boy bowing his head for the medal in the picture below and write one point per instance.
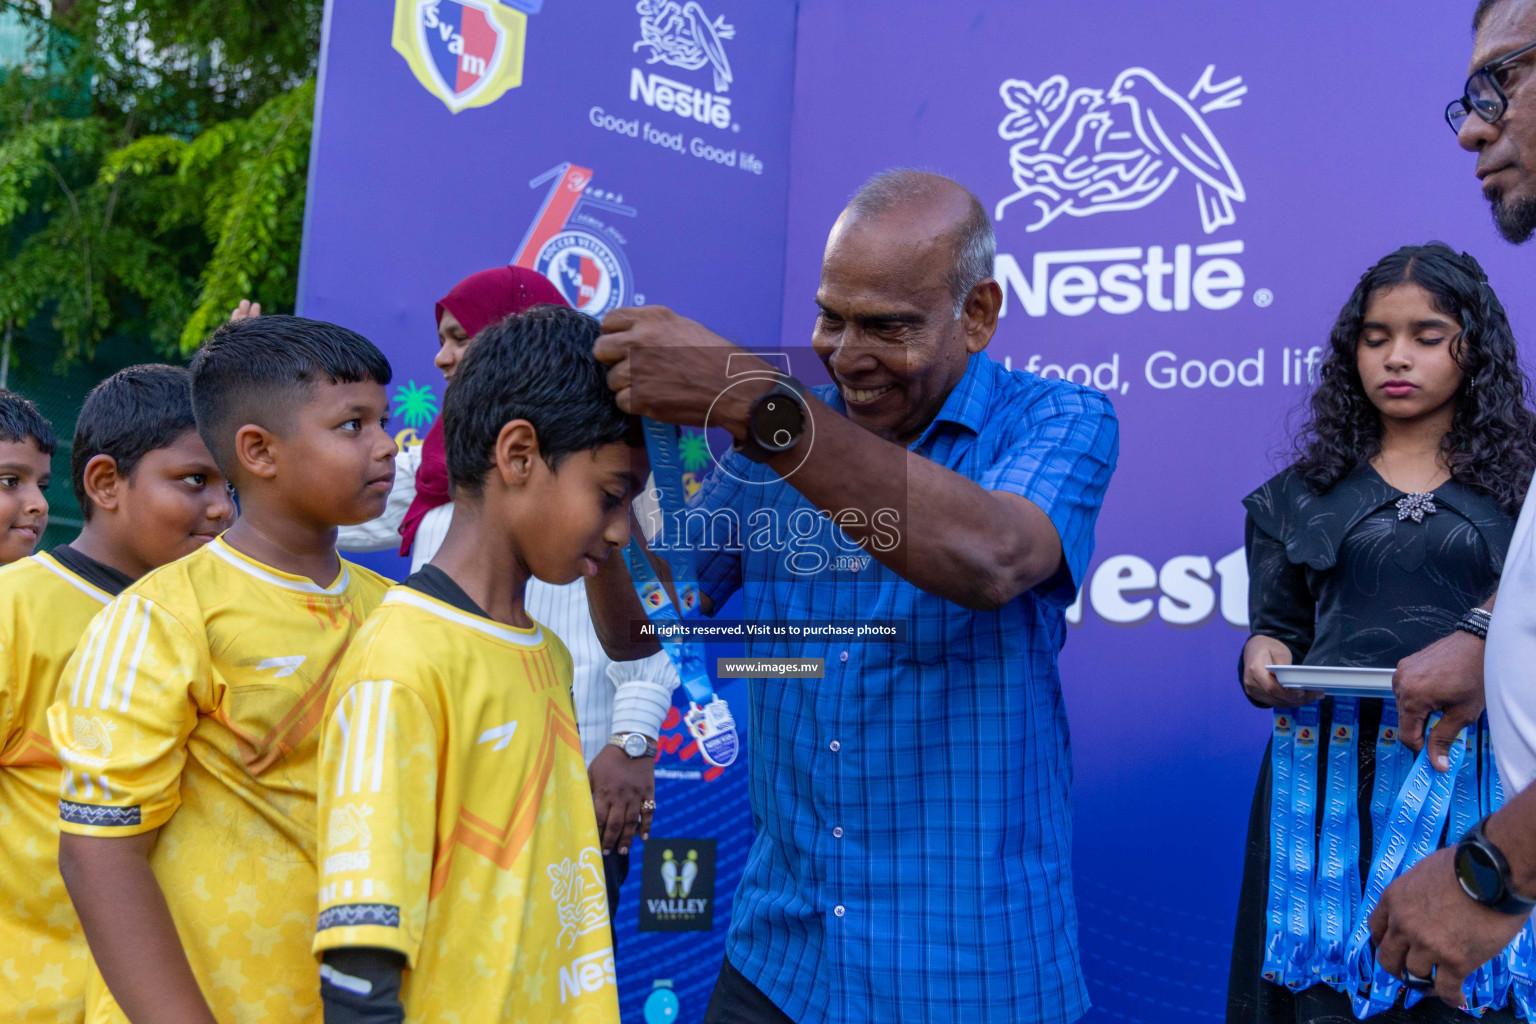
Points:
(535, 366)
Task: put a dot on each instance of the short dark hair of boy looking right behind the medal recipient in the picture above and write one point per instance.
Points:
(259, 371)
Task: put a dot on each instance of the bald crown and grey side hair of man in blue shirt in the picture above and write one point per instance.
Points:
(938, 205)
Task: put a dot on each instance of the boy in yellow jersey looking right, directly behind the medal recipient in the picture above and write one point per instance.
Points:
(188, 836)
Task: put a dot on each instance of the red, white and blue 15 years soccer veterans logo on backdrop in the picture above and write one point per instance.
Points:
(577, 251)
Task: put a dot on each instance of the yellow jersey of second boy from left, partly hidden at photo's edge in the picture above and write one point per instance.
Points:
(45, 610)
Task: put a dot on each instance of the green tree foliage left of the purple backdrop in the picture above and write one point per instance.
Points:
(153, 167)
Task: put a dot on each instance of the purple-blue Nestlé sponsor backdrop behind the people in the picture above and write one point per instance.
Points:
(1183, 199)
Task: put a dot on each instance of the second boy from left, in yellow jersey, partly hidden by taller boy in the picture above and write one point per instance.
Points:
(151, 494)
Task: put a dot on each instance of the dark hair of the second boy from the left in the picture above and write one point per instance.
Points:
(127, 417)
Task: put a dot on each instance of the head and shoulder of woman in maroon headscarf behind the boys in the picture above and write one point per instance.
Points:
(420, 509)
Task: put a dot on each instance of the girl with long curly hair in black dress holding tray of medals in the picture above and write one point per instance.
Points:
(1391, 524)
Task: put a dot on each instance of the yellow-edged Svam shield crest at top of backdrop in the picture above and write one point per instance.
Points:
(466, 53)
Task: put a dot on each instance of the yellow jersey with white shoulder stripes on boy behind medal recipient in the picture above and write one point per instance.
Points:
(191, 707)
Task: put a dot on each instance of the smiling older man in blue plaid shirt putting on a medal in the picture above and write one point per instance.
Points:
(915, 828)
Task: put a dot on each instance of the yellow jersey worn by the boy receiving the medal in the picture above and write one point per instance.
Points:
(457, 822)
